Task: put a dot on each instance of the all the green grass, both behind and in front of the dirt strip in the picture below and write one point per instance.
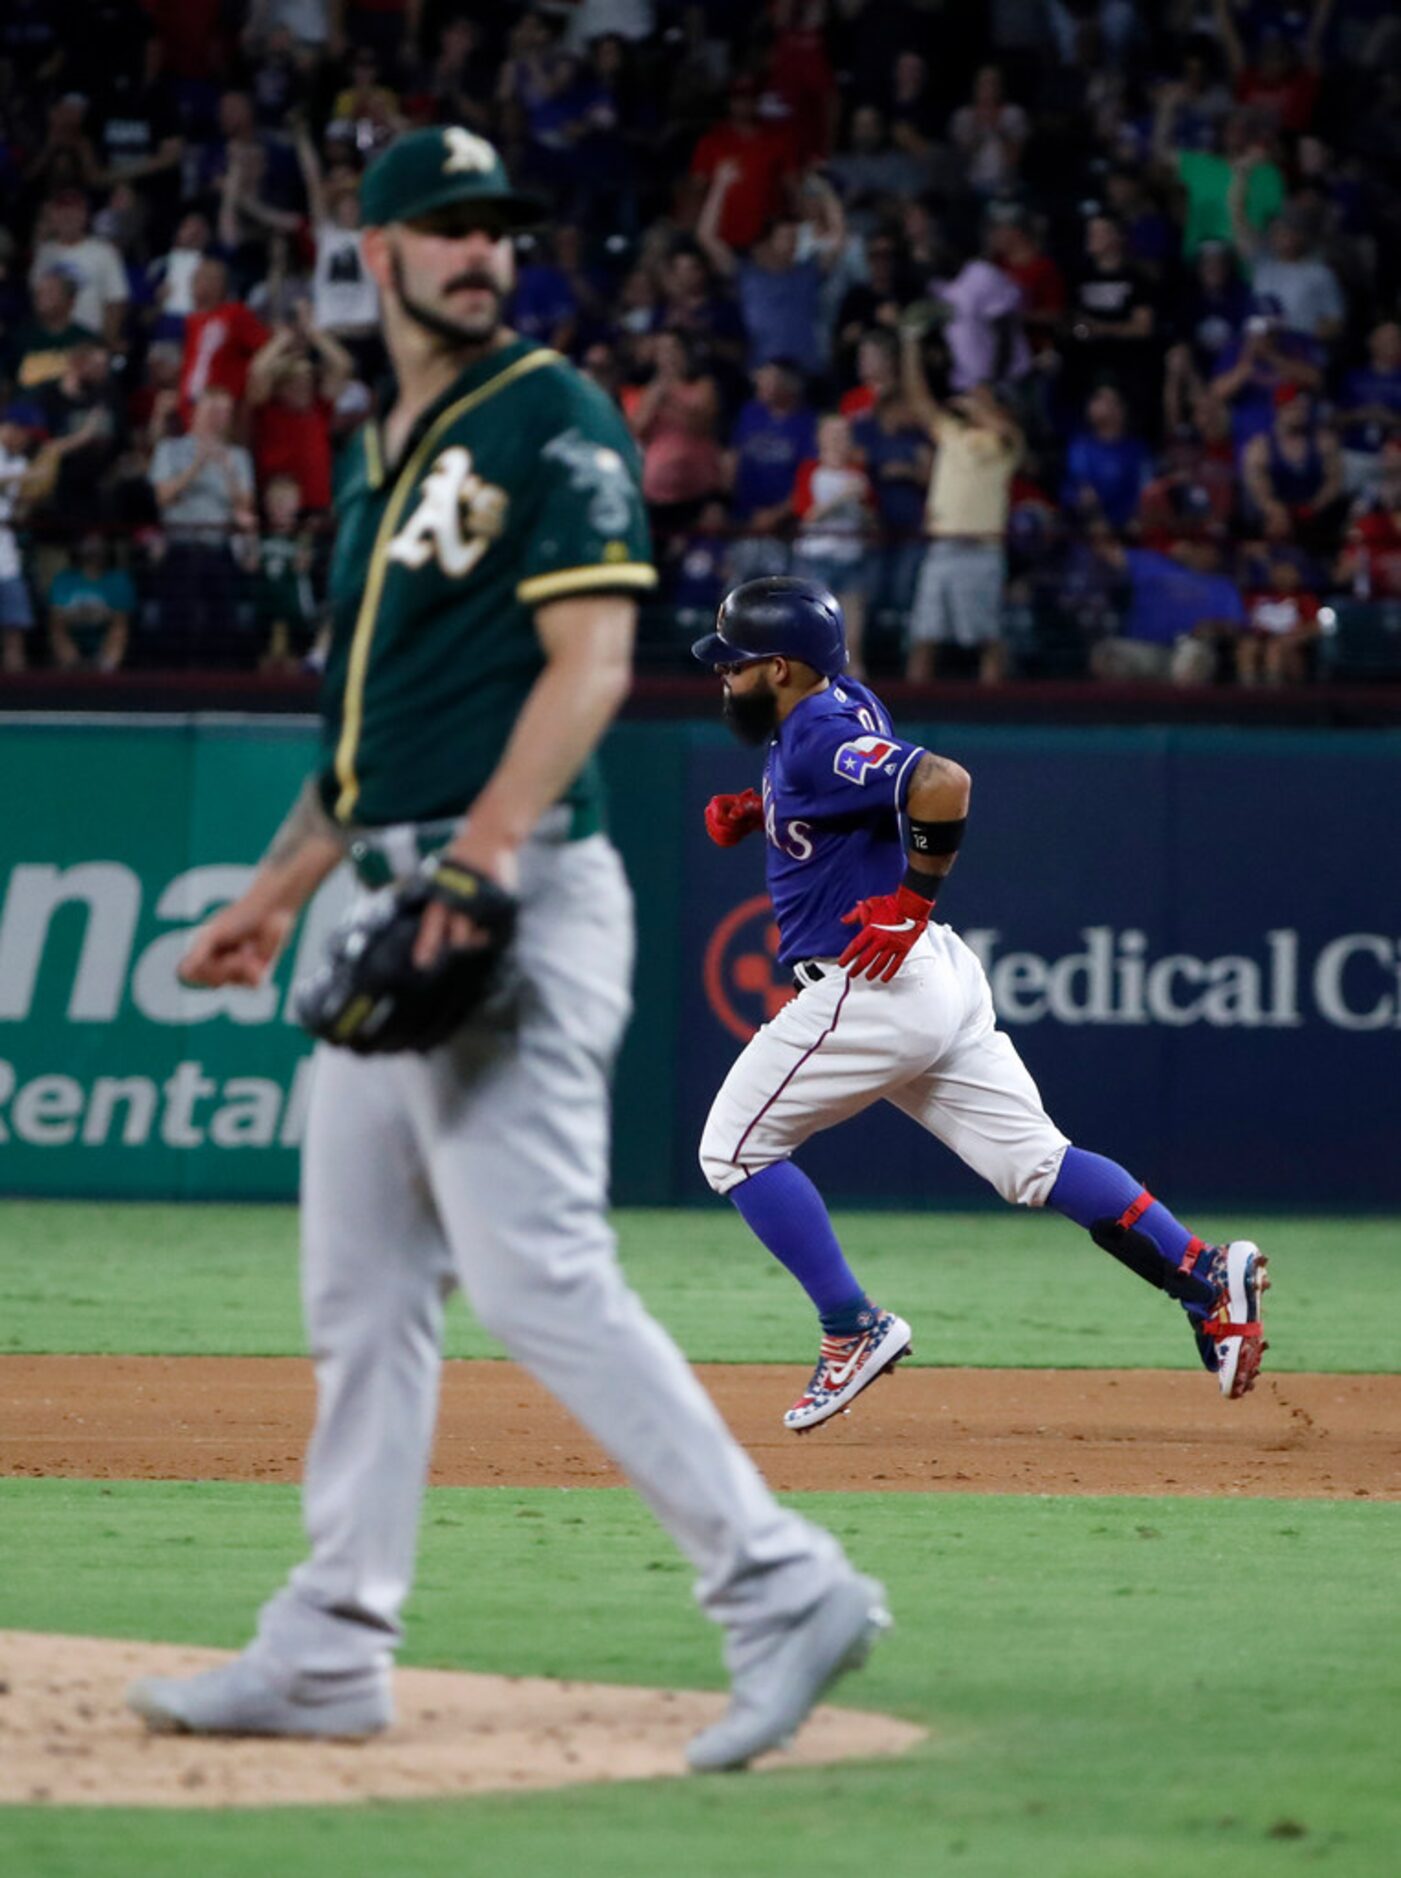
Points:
(1116, 1689)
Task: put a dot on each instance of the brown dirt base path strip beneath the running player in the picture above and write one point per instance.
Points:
(923, 1430)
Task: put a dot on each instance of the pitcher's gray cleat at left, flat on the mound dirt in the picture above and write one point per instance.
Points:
(236, 1699)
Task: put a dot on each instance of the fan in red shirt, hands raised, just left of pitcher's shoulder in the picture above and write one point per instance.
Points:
(294, 386)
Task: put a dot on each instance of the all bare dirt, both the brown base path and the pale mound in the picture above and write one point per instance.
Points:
(67, 1740)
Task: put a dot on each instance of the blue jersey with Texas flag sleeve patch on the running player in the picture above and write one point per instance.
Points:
(835, 790)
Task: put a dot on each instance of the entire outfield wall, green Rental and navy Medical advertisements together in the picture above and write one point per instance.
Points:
(1193, 938)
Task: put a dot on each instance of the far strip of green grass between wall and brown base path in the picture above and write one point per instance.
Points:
(1006, 1289)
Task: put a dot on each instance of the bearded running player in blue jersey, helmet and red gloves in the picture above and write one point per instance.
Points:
(861, 831)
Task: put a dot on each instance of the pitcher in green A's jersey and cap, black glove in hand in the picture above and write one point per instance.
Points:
(489, 553)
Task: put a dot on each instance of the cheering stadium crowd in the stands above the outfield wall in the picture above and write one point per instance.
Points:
(1053, 335)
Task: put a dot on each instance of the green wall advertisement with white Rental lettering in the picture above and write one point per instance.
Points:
(115, 1079)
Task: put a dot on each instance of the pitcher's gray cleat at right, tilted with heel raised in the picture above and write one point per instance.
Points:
(777, 1680)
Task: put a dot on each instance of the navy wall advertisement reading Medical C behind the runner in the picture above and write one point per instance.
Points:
(1193, 940)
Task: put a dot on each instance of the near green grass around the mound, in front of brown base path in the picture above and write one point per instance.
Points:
(1116, 1689)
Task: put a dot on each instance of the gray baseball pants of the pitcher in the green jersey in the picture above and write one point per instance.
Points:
(485, 1165)
